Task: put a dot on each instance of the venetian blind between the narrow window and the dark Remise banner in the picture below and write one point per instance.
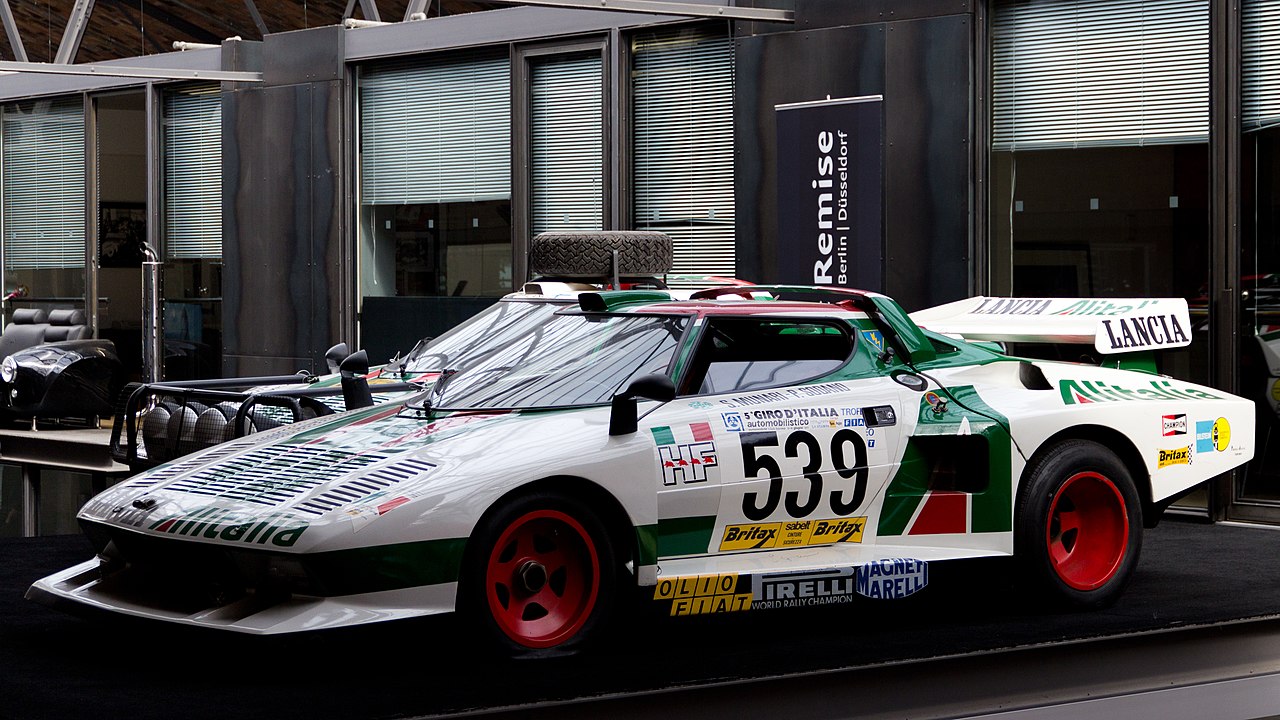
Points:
(683, 158)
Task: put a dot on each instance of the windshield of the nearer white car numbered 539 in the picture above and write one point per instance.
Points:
(570, 361)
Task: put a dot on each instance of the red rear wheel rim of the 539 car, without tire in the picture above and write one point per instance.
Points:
(1089, 531)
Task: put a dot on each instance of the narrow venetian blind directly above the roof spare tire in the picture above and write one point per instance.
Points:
(566, 151)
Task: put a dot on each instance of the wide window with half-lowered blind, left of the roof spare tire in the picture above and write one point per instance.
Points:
(436, 177)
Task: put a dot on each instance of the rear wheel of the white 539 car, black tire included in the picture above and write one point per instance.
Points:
(1078, 531)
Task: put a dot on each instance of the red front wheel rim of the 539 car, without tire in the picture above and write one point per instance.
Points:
(542, 580)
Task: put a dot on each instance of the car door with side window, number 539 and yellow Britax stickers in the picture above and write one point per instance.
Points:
(801, 455)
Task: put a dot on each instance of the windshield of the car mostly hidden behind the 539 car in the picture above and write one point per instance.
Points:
(493, 327)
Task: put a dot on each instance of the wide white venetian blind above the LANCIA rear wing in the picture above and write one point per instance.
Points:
(1082, 74)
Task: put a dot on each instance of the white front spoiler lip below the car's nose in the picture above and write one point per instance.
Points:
(83, 586)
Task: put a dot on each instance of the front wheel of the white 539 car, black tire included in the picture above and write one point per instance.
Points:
(541, 577)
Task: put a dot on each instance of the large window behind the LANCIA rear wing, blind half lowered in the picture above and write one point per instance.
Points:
(1100, 165)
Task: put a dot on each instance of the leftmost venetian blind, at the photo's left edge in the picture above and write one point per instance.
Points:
(44, 185)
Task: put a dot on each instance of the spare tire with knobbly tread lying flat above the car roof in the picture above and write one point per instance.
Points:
(591, 254)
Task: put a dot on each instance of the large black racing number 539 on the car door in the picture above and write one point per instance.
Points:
(757, 458)
